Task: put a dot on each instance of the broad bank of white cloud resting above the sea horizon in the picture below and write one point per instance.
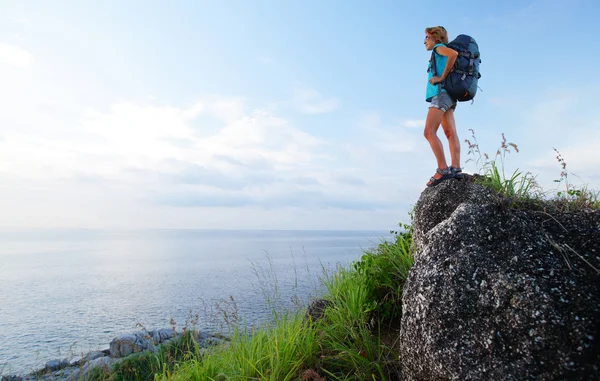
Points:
(146, 159)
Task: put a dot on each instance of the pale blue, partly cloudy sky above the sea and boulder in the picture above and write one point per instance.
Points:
(273, 114)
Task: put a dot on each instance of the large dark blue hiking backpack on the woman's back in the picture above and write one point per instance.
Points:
(461, 82)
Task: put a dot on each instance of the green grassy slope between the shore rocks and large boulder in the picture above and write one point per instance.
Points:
(345, 343)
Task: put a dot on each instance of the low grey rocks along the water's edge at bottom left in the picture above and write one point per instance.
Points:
(80, 367)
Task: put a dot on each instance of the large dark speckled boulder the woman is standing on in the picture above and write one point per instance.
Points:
(500, 293)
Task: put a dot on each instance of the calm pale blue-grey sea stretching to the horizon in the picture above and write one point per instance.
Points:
(66, 292)
